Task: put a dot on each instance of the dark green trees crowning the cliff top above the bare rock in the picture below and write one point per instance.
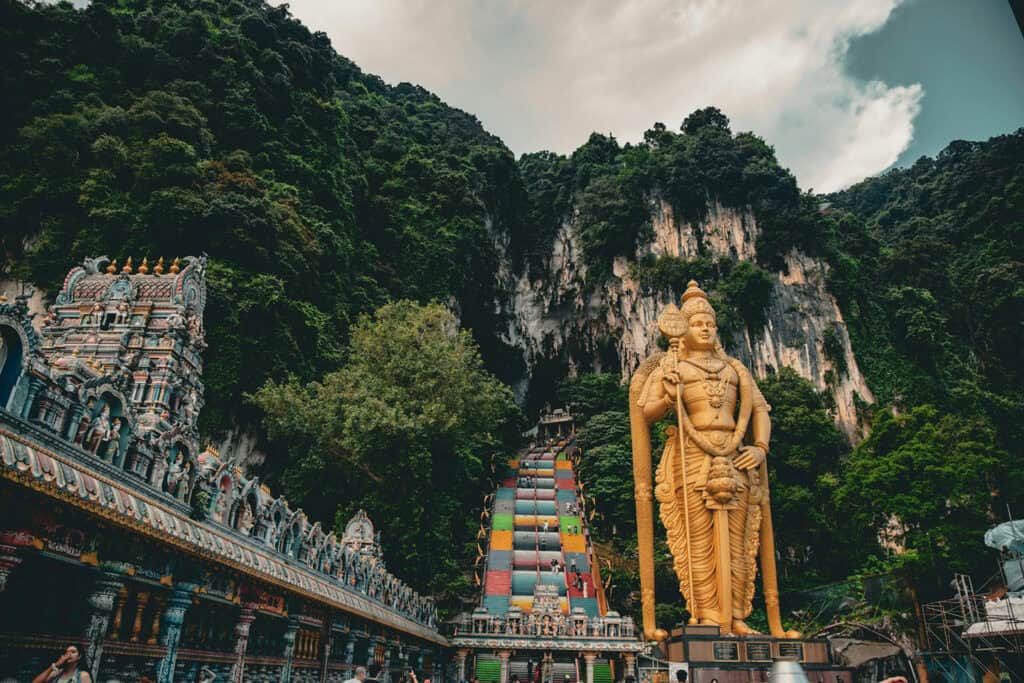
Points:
(610, 190)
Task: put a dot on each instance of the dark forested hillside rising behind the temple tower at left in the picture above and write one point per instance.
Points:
(166, 129)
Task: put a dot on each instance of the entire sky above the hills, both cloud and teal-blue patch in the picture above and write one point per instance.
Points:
(842, 90)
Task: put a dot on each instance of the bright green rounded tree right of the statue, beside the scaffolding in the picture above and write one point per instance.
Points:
(927, 484)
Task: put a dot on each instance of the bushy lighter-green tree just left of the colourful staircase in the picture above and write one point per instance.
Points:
(406, 431)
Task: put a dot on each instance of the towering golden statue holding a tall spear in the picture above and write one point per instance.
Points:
(714, 499)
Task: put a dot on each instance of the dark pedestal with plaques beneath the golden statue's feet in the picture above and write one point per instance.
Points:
(746, 660)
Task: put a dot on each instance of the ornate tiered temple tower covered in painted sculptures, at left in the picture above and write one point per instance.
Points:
(127, 345)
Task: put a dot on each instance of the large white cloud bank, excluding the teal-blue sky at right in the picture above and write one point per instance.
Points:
(544, 75)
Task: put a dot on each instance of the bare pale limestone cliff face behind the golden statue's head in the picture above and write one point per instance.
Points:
(554, 316)
